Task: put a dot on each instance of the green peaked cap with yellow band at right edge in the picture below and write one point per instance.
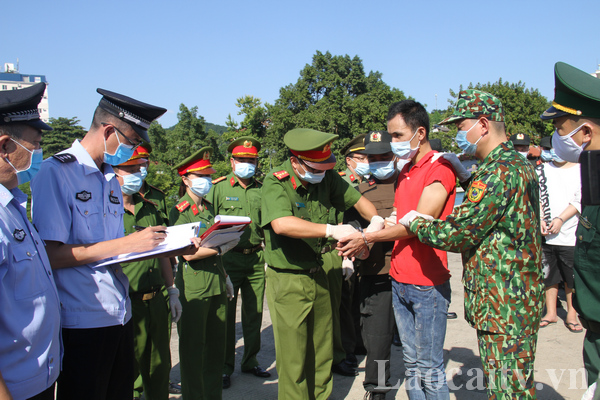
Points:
(576, 93)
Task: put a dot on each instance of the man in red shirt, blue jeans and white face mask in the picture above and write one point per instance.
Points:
(421, 280)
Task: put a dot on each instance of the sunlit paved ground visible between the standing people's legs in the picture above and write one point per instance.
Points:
(558, 366)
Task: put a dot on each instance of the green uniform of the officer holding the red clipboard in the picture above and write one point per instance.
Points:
(202, 327)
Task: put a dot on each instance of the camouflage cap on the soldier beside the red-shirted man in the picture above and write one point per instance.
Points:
(474, 104)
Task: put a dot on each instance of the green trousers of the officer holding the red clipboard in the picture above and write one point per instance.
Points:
(202, 329)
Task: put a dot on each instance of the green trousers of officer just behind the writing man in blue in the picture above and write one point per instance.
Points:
(151, 342)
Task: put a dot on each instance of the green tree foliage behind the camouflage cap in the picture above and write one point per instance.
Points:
(522, 108)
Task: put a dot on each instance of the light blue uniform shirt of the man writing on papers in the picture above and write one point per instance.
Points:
(76, 203)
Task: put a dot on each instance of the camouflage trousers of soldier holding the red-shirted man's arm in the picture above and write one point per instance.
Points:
(508, 365)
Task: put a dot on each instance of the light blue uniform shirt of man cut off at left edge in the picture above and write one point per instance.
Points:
(30, 346)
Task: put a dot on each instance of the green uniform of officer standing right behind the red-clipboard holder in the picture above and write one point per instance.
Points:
(244, 265)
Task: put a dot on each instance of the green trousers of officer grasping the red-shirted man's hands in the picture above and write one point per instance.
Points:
(300, 309)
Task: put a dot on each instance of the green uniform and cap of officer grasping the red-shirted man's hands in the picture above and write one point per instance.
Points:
(297, 287)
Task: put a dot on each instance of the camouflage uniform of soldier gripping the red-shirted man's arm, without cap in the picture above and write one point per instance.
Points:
(497, 231)
